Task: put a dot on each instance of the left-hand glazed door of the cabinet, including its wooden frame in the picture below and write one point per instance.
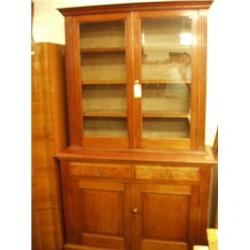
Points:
(103, 77)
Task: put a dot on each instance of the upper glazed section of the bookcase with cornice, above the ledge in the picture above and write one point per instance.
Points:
(136, 75)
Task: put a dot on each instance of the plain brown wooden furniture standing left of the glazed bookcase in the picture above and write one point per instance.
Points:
(49, 135)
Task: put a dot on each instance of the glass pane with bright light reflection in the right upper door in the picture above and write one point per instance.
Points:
(166, 77)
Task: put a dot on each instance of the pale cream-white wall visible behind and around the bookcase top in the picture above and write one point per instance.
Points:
(48, 26)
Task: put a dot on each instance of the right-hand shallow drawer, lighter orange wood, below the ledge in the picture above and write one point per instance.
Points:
(155, 172)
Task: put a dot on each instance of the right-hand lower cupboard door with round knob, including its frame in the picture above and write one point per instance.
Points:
(165, 216)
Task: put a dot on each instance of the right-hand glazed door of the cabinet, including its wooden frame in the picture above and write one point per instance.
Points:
(166, 42)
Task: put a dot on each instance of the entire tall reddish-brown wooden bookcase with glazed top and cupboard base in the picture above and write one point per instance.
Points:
(136, 173)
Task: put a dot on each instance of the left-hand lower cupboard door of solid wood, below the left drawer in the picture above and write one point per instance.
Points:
(103, 213)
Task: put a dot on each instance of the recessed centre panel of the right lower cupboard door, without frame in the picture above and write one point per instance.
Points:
(165, 216)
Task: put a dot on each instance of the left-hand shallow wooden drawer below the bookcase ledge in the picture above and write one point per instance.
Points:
(119, 171)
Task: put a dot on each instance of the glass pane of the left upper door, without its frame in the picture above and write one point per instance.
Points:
(103, 79)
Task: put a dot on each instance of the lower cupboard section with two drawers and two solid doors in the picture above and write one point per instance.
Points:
(137, 207)
